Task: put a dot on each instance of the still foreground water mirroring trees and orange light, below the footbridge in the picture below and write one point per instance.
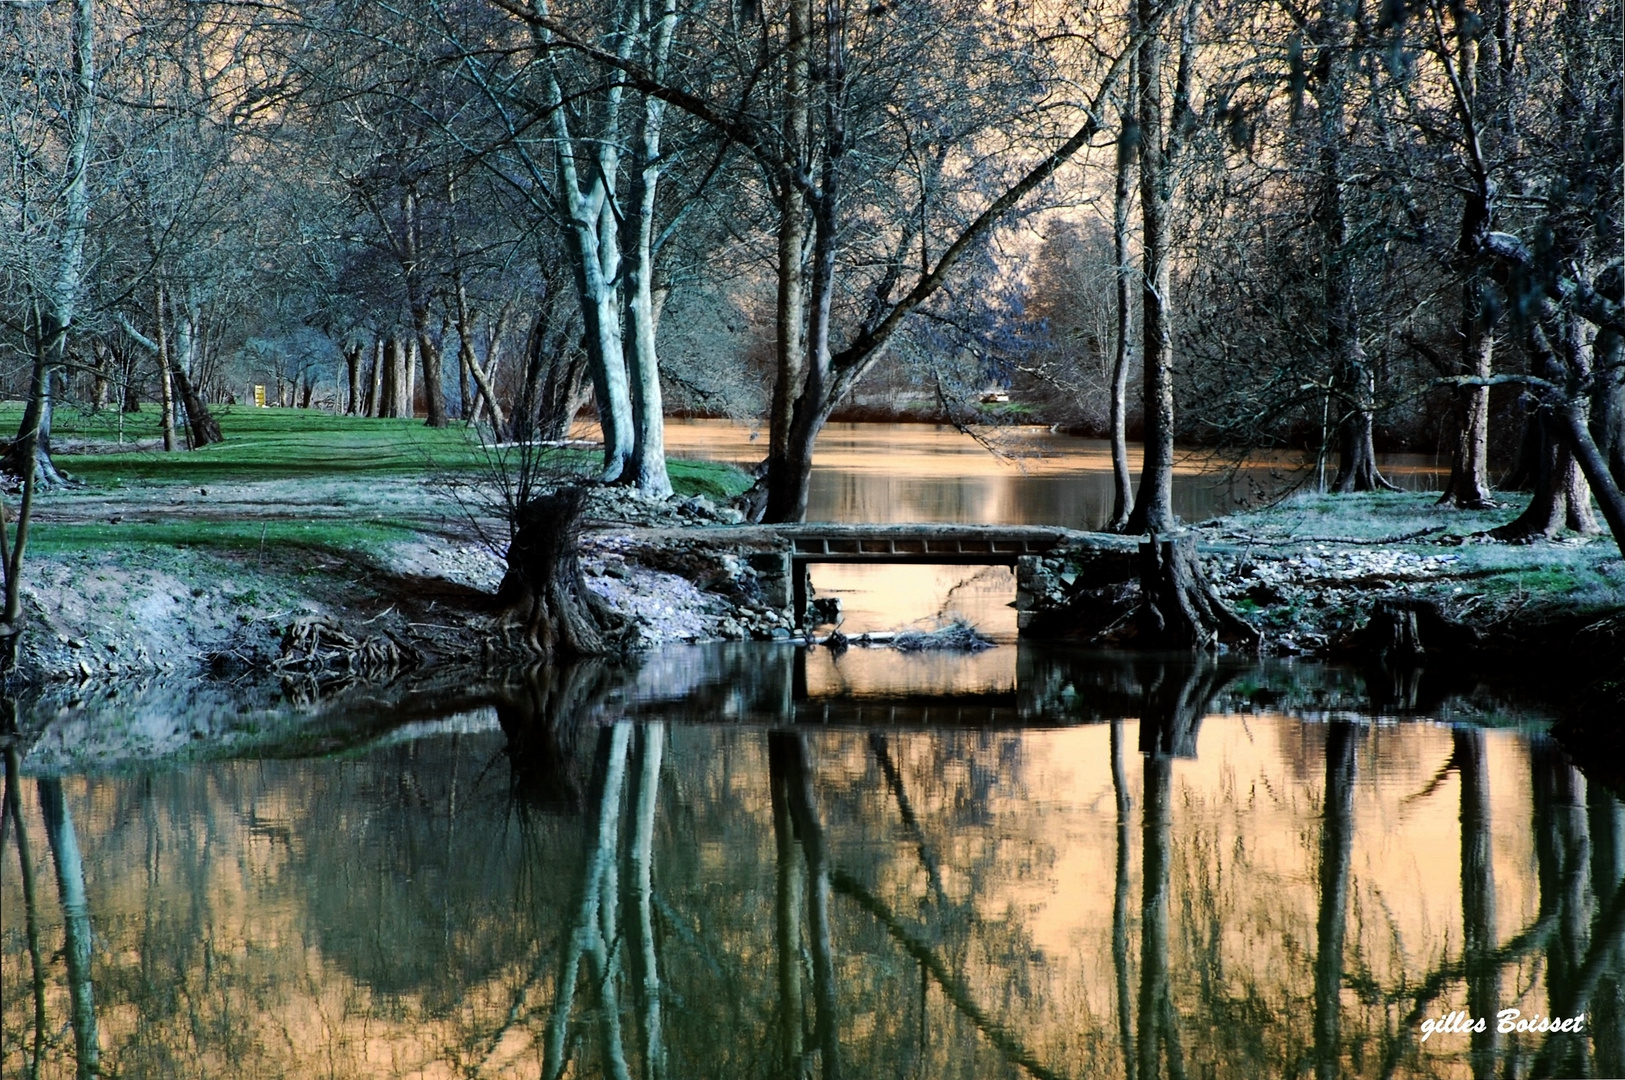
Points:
(589, 876)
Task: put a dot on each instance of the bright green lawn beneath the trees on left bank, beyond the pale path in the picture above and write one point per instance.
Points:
(306, 444)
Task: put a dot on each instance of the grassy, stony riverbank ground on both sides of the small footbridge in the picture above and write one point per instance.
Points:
(308, 542)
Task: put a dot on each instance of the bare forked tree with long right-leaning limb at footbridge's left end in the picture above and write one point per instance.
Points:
(826, 191)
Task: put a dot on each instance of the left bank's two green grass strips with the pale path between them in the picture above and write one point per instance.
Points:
(288, 478)
